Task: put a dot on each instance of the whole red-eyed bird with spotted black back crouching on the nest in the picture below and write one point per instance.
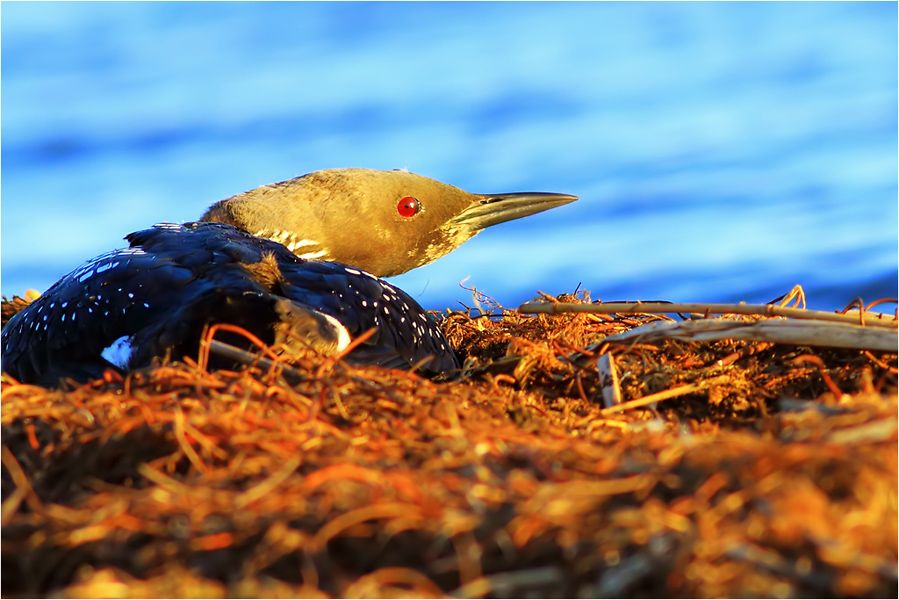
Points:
(297, 263)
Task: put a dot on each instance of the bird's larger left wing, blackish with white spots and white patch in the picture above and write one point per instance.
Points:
(155, 295)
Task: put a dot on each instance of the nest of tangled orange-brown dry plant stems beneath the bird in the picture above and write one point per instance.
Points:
(775, 476)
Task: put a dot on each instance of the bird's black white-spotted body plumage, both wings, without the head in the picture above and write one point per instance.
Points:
(159, 294)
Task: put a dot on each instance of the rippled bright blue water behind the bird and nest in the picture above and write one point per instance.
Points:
(721, 151)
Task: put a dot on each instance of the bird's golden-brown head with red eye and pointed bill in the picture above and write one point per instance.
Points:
(385, 222)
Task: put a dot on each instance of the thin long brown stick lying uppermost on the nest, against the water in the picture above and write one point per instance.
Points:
(871, 319)
